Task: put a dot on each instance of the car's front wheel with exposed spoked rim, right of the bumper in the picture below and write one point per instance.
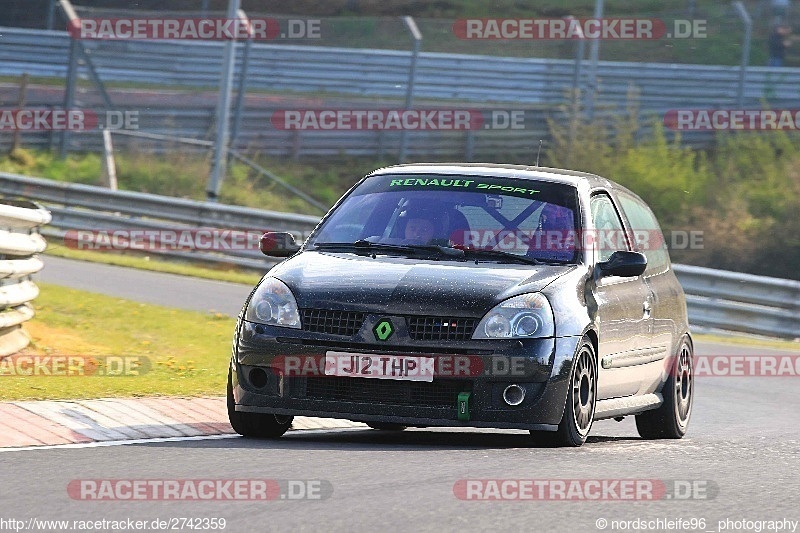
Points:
(576, 423)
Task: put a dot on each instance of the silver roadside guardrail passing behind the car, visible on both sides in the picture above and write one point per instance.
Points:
(716, 299)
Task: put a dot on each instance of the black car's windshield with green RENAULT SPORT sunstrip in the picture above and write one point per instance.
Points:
(525, 218)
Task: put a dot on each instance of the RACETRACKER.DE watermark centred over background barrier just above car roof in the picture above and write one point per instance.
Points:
(398, 119)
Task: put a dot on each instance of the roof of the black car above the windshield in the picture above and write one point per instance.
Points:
(557, 175)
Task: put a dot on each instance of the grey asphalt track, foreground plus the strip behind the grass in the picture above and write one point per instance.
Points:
(741, 456)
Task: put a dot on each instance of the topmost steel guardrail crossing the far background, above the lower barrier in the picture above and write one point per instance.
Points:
(384, 73)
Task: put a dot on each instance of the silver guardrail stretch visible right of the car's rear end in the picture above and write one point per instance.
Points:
(741, 302)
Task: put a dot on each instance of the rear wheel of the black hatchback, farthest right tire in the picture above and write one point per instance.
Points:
(671, 420)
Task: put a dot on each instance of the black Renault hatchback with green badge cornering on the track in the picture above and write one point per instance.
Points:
(470, 295)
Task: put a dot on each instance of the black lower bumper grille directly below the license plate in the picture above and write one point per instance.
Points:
(438, 393)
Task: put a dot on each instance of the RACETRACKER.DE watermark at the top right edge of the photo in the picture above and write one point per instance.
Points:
(579, 28)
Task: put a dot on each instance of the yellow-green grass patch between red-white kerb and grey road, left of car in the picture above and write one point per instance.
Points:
(181, 353)
